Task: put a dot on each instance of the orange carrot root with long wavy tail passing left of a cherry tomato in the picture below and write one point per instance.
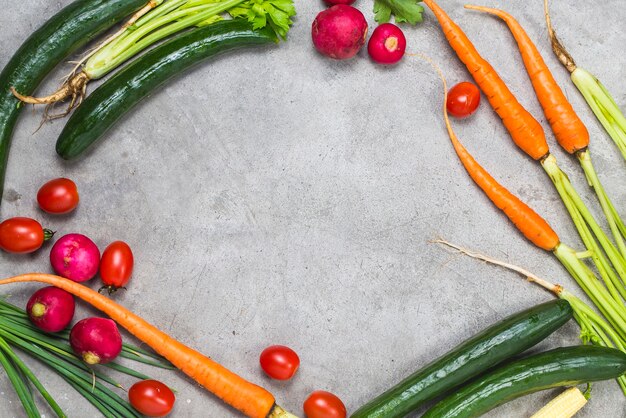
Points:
(527, 221)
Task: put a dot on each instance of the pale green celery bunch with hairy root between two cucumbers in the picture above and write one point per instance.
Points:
(158, 20)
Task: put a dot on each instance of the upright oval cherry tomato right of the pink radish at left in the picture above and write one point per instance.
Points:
(116, 265)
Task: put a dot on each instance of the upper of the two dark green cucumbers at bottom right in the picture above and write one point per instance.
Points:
(495, 344)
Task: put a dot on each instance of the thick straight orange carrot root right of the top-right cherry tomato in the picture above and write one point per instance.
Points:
(526, 132)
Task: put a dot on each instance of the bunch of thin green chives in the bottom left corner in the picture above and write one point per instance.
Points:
(54, 351)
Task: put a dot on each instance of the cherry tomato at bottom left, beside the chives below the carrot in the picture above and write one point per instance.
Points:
(151, 398)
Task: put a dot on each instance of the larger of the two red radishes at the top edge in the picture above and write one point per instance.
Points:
(339, 32)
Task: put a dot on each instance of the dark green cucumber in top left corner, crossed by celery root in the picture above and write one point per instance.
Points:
(64, 33)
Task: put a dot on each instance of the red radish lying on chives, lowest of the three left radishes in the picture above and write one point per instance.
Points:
(96, 340)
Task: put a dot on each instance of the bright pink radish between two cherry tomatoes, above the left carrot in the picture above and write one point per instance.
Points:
(75, 257)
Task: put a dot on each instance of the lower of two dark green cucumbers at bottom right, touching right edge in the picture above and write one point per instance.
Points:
(560, 367)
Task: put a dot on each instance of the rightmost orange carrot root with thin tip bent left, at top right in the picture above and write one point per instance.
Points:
(568, 129)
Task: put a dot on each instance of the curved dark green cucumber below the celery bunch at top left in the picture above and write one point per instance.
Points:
(124, 90)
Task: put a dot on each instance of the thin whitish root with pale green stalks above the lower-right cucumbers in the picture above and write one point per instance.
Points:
(594, 329)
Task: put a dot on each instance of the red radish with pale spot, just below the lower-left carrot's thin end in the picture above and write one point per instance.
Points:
(51, 309)
